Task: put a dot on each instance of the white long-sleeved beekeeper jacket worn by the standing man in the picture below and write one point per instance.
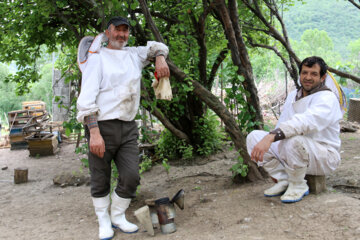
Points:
(111, 81)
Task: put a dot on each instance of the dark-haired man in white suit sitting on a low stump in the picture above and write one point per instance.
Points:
(306, 139)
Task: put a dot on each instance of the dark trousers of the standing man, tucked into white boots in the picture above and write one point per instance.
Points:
(121, 145)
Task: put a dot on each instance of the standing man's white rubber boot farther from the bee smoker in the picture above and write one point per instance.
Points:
(101, 206)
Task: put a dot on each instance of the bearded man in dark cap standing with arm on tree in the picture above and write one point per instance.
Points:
(107, 104)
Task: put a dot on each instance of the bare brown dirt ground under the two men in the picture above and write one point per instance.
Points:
(215, 208)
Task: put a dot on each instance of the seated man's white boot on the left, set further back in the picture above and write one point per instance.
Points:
(277, 171)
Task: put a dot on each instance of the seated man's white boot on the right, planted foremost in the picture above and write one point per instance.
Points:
(297, 188)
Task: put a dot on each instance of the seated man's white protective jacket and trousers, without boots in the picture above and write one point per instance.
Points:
(311, 128)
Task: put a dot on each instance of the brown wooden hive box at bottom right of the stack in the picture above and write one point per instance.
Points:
(42, 144)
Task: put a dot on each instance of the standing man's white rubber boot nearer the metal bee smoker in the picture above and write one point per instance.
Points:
(118, 219)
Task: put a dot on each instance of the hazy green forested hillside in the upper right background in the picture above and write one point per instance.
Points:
(339, 18)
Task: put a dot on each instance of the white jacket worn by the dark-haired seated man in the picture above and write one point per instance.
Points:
(316, 116)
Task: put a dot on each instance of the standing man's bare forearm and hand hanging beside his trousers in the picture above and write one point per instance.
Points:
(96, 142)
